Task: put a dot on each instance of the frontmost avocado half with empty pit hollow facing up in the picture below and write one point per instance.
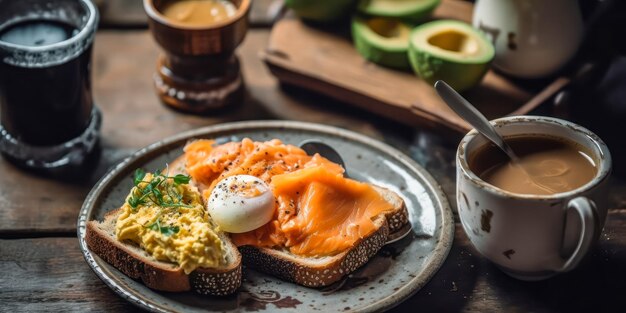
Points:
(450, 50)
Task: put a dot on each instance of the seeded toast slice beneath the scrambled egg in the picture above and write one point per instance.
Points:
(136, 263)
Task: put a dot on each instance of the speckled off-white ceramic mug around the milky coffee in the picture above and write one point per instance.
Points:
(532, 237)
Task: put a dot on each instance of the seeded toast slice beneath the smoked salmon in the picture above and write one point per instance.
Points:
(323, 271)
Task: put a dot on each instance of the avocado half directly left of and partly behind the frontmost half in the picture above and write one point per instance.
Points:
(382, 41)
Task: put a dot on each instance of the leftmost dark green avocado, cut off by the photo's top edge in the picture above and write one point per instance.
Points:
(323, 11)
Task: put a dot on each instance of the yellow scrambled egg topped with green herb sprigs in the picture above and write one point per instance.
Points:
(171, 224)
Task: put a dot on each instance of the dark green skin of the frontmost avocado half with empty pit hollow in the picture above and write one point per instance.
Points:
(430, 68)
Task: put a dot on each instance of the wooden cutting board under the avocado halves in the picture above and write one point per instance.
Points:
(326, 61)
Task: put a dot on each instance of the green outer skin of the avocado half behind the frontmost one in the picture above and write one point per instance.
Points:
(391, 58)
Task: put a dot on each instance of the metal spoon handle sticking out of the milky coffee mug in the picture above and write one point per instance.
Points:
(469, 113)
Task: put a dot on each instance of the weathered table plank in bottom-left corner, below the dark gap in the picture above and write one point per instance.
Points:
(50, 275)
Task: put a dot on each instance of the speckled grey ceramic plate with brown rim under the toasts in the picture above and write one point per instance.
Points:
(394, 274)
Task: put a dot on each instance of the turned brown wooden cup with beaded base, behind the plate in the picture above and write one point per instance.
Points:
(198, 71)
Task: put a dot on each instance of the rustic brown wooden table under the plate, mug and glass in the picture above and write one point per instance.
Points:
(42, 269)
